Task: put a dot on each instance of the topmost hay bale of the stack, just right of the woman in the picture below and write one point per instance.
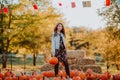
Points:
(76, 54)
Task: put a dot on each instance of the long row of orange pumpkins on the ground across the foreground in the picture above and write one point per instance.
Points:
(50, 75)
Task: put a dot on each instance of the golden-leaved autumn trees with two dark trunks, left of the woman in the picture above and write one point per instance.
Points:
(24, 27)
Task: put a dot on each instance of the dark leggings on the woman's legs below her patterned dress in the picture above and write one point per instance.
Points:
(66, 68)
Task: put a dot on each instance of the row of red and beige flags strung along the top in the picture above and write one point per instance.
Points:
(86, 3)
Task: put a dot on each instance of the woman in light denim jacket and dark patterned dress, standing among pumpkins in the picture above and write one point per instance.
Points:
(59, 48)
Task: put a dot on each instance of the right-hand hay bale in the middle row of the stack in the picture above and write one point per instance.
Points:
(86, 61)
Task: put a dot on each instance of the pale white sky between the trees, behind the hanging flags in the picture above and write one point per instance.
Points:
(80, 16)
